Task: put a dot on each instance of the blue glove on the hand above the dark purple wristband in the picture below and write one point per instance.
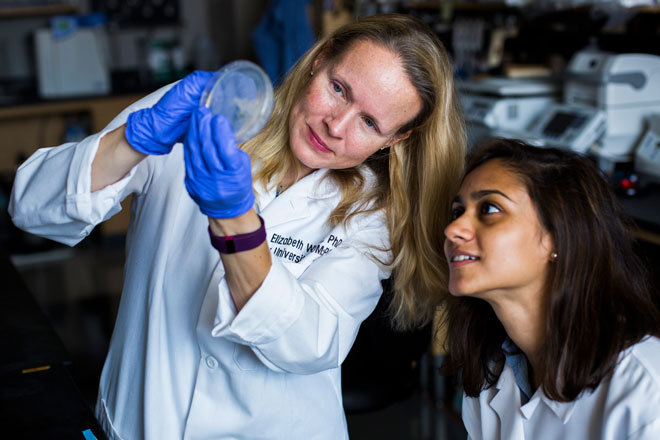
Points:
(218, 173)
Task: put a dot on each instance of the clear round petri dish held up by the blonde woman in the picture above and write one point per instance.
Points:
(242, 92)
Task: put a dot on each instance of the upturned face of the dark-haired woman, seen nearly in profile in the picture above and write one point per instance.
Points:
(496, 246)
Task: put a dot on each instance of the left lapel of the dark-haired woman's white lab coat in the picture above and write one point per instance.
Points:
(505, 401)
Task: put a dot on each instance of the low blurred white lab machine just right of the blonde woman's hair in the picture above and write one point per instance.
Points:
(498, 106)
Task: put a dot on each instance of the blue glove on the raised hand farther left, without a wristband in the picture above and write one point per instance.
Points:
(155, 130)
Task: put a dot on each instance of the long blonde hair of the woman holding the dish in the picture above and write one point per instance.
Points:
(415, 177)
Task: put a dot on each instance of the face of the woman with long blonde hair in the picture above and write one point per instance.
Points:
(352, 109)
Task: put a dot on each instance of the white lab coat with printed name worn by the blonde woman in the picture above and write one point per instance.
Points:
(182, 363)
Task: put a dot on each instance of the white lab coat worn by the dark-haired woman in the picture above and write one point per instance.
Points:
(626, 406)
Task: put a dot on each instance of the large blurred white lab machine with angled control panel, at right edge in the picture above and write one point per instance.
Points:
(606, 98)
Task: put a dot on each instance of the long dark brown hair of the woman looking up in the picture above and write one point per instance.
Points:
(599, 297)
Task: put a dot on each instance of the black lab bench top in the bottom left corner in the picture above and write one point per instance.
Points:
(38, 397)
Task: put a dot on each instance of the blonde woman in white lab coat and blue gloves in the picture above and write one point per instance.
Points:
(249, 270)
